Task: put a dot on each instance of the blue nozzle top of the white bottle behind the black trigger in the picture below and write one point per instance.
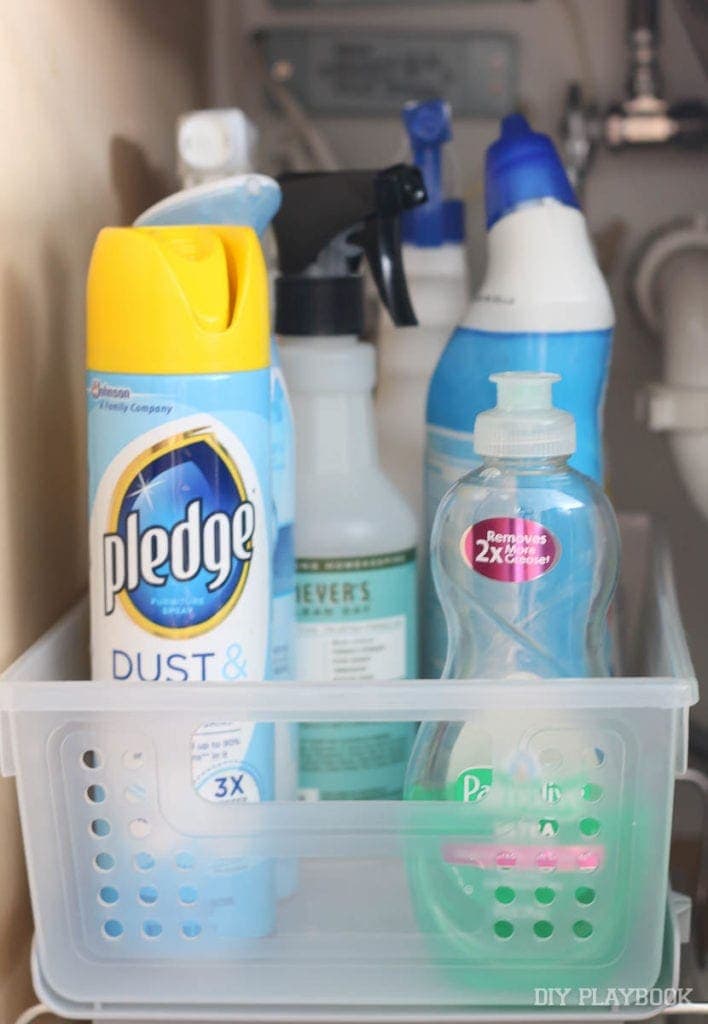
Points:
(430, 126)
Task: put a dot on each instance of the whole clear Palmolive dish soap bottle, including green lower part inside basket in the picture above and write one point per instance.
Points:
(526, 556)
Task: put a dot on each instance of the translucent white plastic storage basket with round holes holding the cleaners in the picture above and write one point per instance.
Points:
(401, 911)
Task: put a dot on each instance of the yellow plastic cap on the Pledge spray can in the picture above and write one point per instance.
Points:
(178, 301)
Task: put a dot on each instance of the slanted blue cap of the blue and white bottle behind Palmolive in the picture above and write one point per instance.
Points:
(523, 165)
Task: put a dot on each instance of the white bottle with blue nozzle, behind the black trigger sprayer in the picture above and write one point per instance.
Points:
(436, 264)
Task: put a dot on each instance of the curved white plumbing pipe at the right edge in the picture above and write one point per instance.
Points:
(671, 286)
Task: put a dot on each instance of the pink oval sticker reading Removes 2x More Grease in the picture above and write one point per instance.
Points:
(510, 550)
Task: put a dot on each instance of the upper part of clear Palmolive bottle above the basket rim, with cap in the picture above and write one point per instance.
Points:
(525, 550)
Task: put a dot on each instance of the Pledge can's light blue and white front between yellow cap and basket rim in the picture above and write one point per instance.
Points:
(180, 542)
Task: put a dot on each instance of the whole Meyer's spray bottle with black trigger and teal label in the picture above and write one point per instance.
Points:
(355, 536)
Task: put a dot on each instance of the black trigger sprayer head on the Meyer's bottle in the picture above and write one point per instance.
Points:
(328, 222)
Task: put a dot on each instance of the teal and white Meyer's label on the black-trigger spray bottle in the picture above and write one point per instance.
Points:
(356, 621)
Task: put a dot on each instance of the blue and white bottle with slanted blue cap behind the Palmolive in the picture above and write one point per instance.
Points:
(544, 306)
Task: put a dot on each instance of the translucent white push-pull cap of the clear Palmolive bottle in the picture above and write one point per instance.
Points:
(525, 423)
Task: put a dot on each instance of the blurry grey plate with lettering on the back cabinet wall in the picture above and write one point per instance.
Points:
(374, 73)
